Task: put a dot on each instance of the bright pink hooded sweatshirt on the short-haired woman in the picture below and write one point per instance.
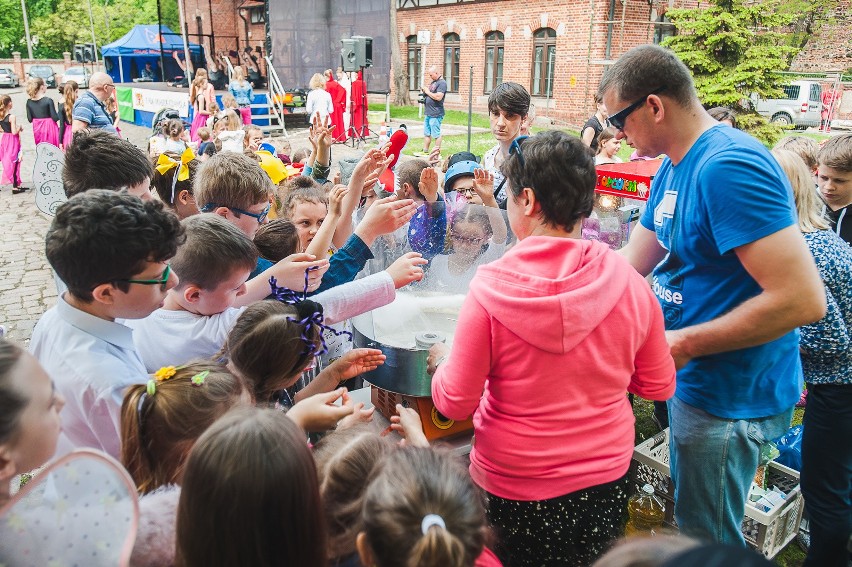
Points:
(550, 339)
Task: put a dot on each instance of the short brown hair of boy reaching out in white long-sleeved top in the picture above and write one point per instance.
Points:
(214, 248)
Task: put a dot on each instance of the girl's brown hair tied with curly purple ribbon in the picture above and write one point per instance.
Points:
(266, 348)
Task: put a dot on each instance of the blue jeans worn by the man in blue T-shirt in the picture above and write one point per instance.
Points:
(713, 461)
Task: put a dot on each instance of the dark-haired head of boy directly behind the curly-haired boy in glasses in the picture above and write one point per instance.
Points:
(97, 159)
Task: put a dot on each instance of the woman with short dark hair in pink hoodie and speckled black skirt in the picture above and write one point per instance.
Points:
(555, 334)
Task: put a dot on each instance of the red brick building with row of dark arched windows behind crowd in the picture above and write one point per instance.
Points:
(557, 50)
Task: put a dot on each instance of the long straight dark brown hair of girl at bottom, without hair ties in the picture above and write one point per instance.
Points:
(250, 495)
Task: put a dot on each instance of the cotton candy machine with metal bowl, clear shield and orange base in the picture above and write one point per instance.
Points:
(425, 313)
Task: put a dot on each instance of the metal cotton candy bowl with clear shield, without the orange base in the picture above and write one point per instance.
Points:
(426, 312)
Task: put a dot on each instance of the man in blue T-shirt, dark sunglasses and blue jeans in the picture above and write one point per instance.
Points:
(733, 276)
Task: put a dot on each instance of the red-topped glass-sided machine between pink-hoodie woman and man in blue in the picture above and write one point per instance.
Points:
(620, 195)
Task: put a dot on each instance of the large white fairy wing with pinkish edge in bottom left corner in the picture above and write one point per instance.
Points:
(81, 510)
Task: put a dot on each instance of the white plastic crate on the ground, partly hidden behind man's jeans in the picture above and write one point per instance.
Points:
(767, 532)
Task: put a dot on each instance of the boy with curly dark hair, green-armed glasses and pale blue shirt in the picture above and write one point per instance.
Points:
(112, 251)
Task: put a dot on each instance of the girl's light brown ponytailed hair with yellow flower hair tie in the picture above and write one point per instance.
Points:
(157, 431)
